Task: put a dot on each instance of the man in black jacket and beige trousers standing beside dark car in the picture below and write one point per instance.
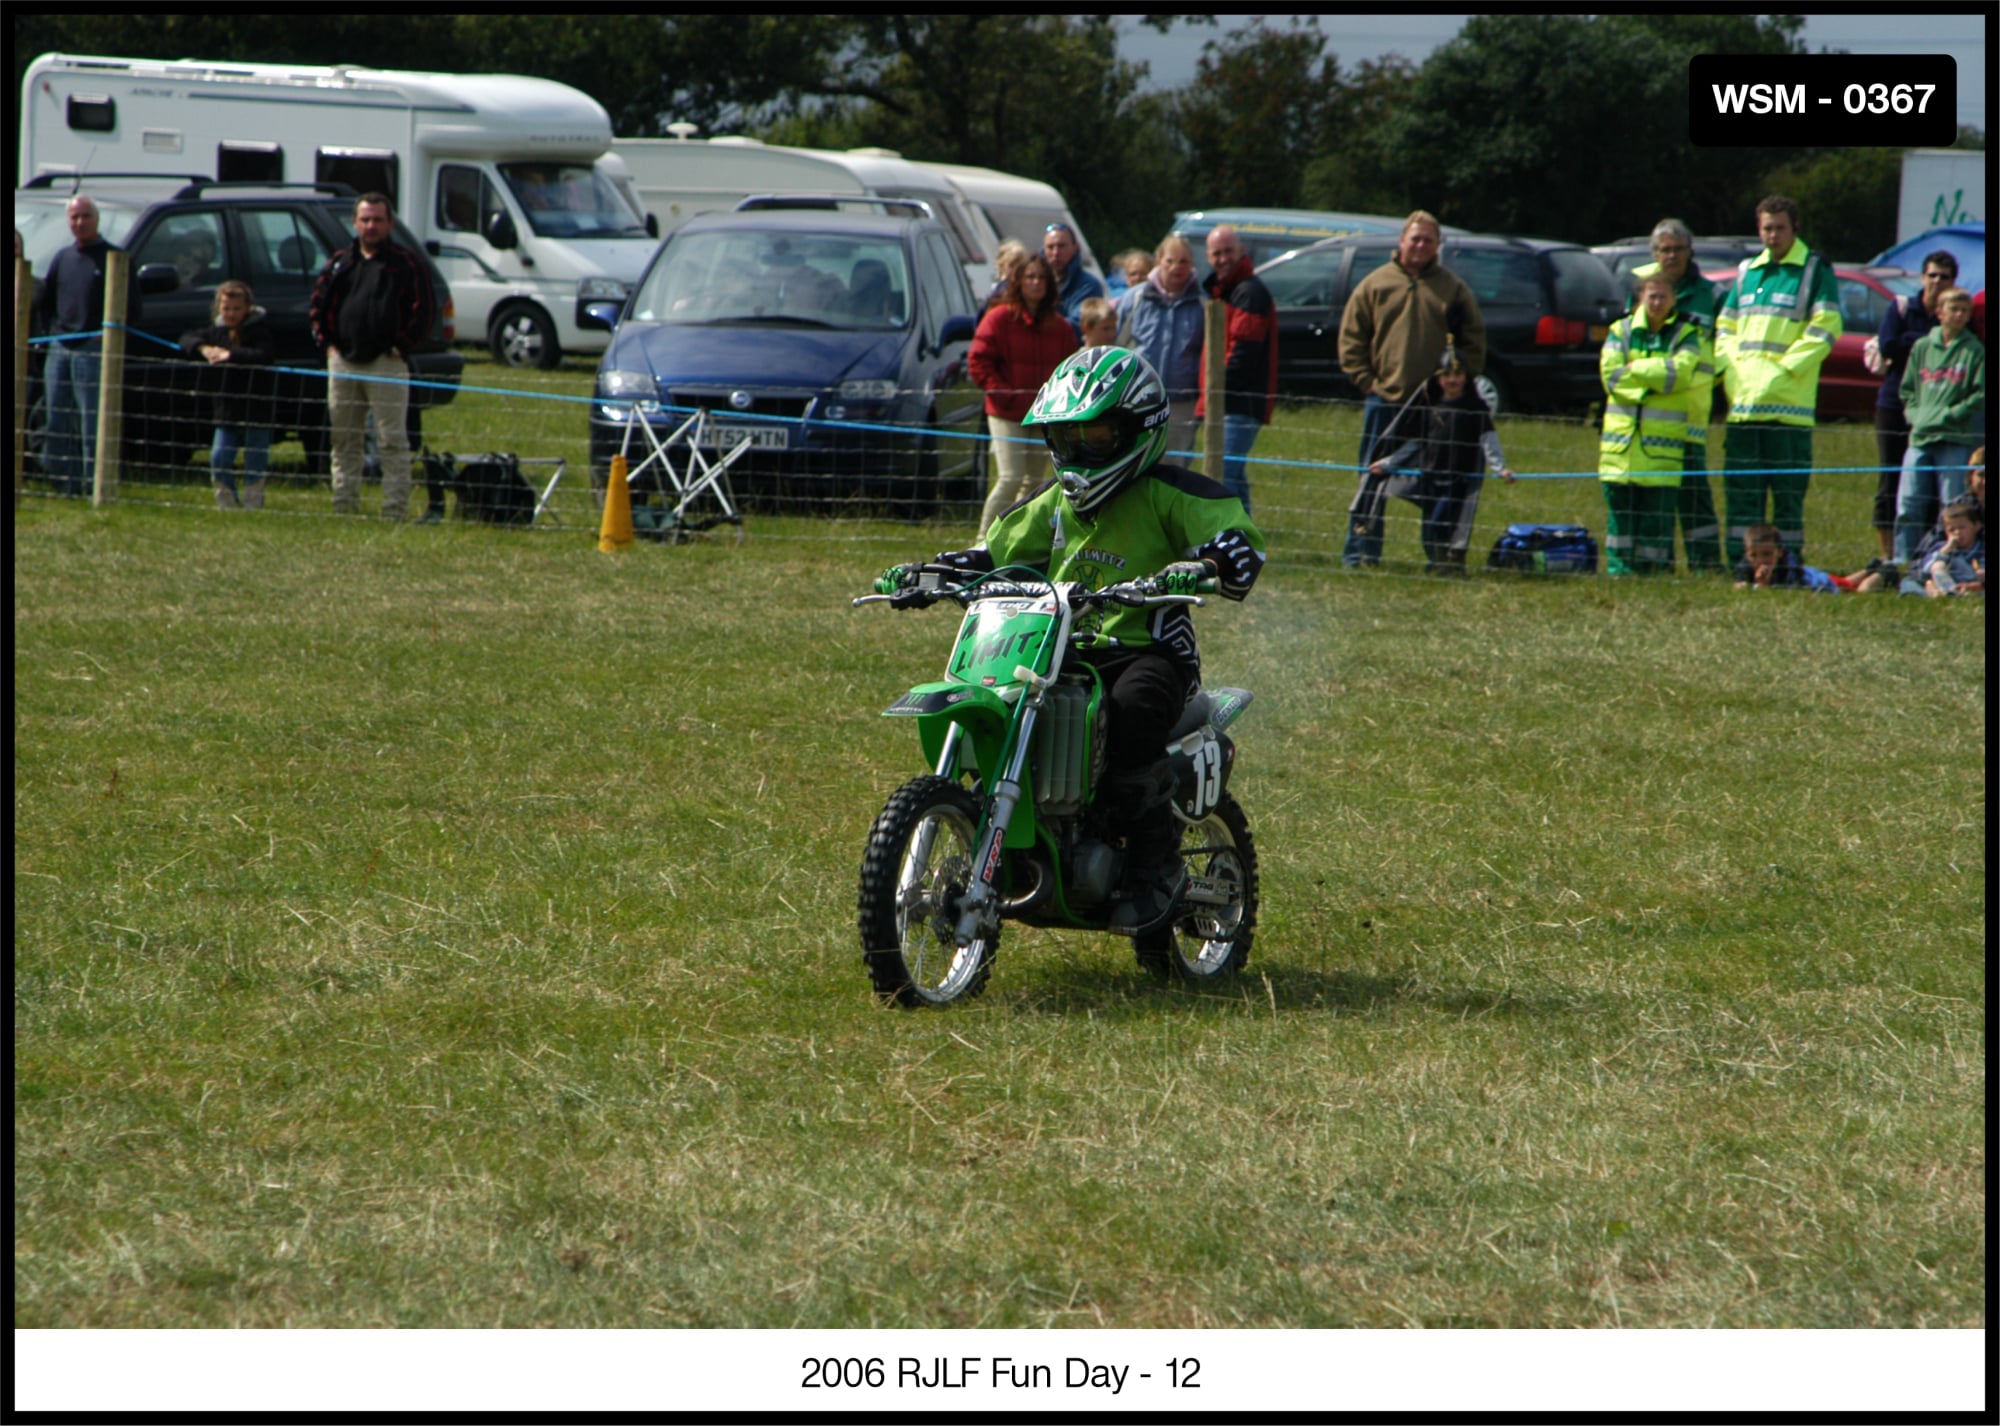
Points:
(371, 309)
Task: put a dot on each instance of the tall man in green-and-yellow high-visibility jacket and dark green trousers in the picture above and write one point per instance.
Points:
(1771, 339)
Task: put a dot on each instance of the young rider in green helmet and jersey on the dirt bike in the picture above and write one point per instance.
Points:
(1115, 513)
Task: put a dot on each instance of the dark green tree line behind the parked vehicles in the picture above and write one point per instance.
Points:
(1549, 125)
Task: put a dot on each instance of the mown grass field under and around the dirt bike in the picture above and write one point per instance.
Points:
(441, 927)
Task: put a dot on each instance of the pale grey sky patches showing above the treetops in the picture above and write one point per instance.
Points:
(1369, 37)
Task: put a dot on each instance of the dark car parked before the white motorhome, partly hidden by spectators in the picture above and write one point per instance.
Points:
(185, 239)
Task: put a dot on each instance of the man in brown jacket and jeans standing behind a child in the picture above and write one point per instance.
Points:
(1391, 343)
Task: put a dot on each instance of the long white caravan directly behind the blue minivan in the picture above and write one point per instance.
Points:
(677, 179)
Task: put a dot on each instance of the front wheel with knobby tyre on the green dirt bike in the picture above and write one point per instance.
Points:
(915, 873)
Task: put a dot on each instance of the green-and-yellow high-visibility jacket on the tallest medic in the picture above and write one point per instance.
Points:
(1773, 335)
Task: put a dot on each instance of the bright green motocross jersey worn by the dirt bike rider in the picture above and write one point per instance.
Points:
(1163, 517)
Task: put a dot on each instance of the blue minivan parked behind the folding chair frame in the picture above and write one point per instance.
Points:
(829, 333)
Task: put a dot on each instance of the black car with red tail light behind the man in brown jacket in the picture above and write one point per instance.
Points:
(1547, 309)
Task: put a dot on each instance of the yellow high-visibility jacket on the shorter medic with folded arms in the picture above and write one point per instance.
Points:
(1649, 377)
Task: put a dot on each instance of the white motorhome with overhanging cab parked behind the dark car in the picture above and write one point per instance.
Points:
(497, 173)
